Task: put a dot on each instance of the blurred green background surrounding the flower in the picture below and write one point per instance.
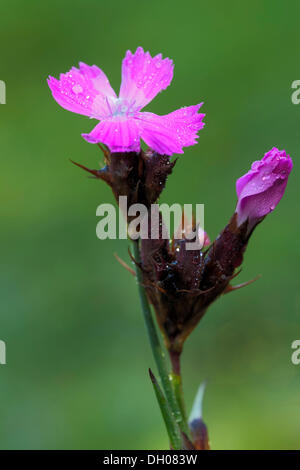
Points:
(77, 354)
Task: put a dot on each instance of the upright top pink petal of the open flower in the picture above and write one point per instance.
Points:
(143, 77)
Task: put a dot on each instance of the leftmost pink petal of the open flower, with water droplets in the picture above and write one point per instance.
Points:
(84, 91)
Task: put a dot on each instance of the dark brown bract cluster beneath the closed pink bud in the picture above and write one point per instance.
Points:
(182, 283)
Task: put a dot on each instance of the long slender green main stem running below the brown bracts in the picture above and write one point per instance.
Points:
(158, 353)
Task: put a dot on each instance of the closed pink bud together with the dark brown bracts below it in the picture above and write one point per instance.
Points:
(187, 282)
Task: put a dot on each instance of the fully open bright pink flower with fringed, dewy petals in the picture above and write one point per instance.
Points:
(87, 91)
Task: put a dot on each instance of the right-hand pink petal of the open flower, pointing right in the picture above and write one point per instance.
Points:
(170, 133)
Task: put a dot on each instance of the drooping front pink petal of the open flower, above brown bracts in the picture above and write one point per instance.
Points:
(118, 133)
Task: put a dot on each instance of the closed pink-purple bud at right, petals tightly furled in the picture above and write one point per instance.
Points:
(260, 190)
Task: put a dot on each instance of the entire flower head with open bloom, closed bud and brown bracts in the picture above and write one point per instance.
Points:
(180, 284)
